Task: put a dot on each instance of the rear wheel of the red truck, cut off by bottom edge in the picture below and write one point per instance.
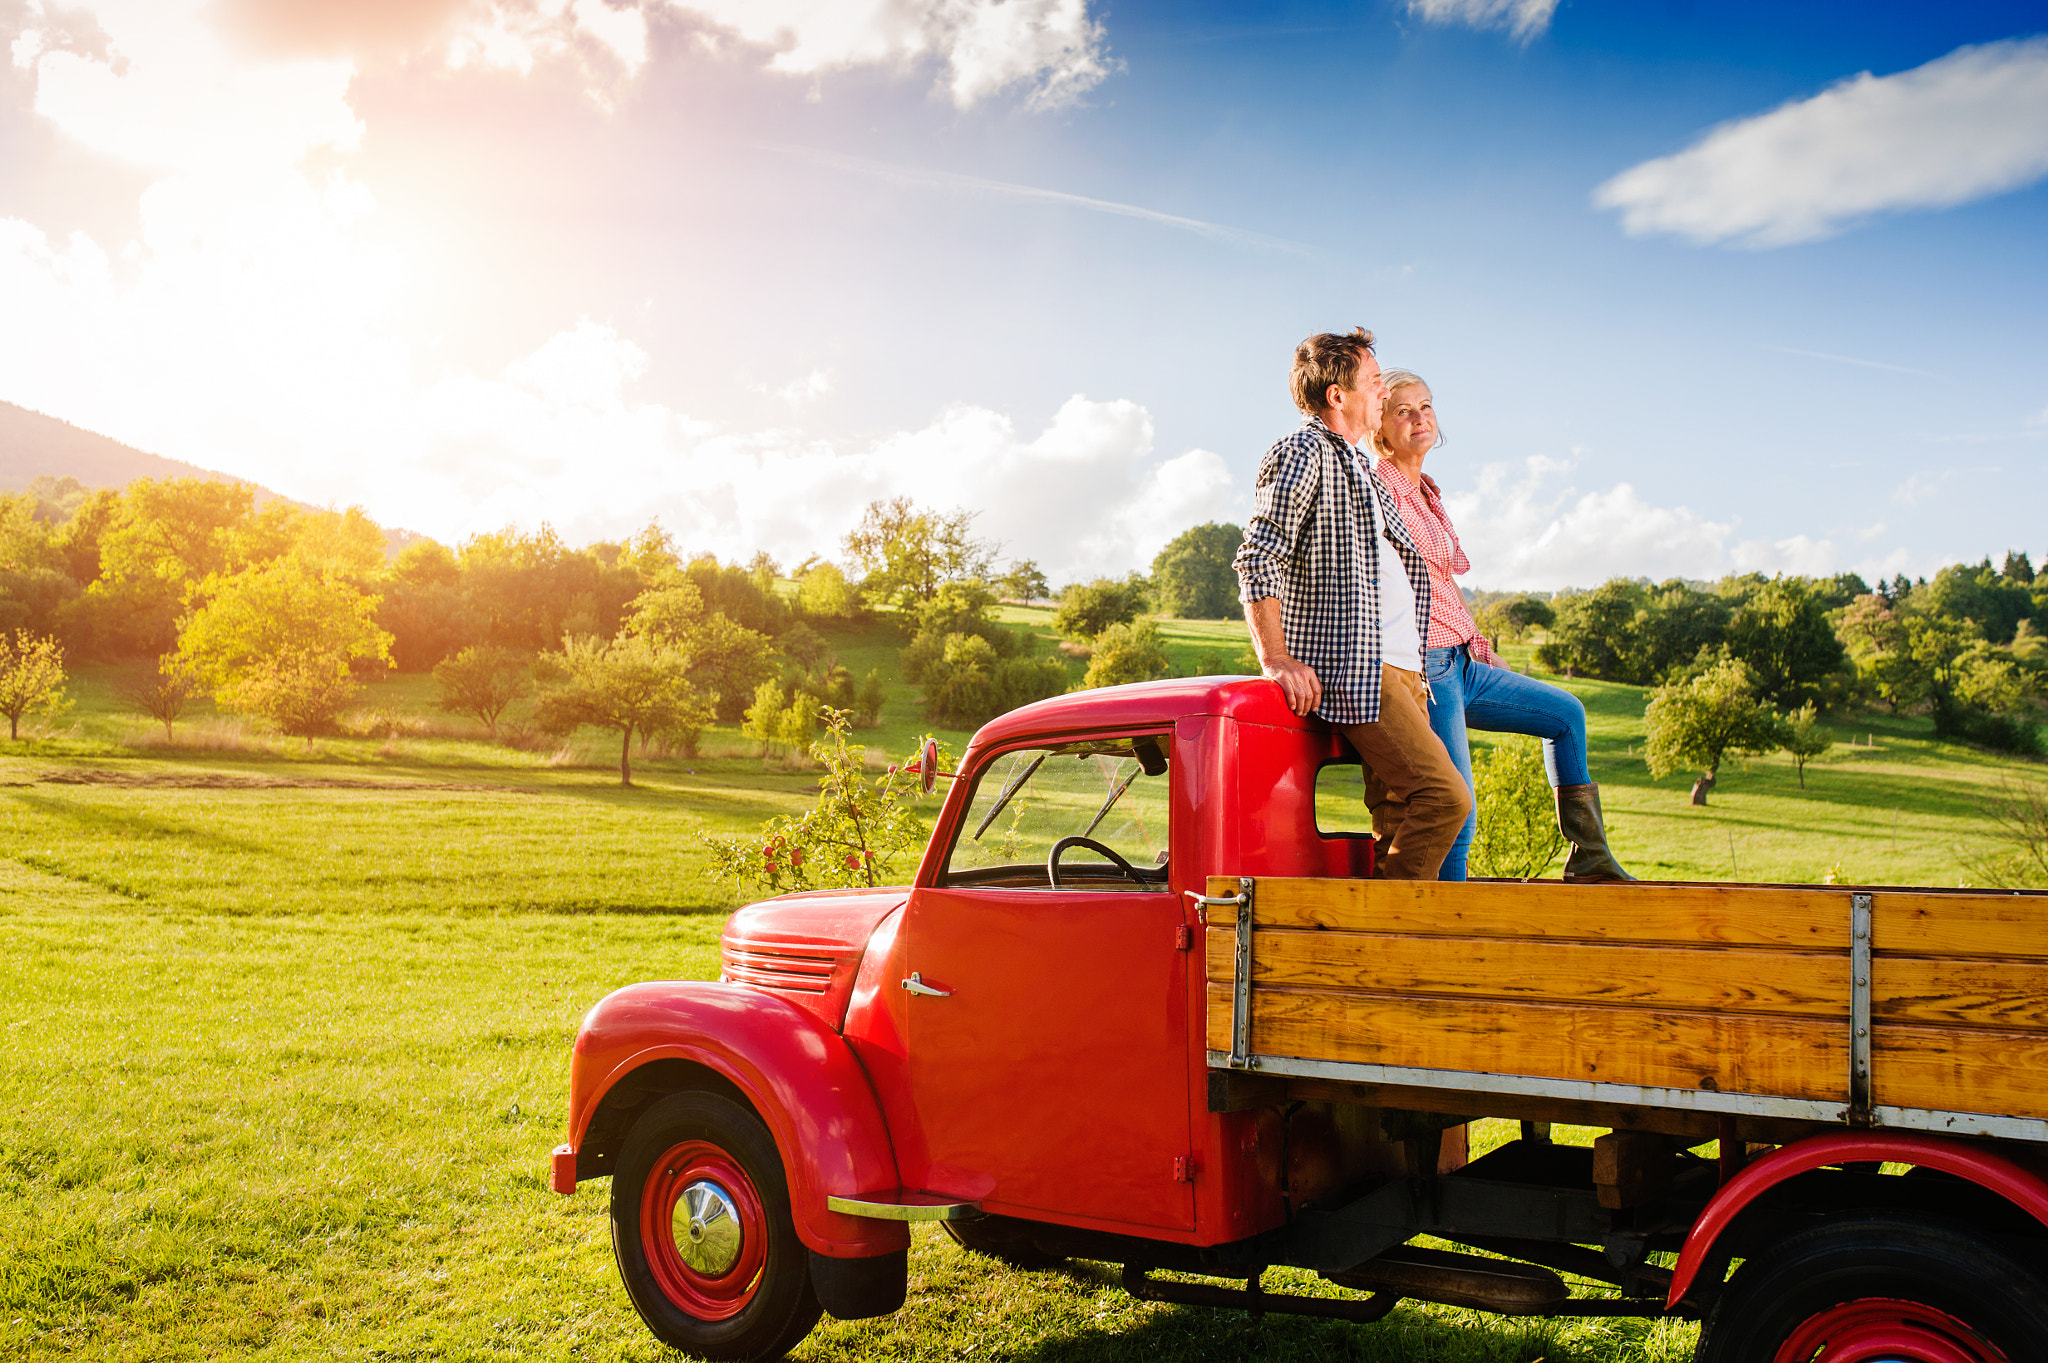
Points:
(1879, 1276)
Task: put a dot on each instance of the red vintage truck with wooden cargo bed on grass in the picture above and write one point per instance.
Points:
(1146, 1006)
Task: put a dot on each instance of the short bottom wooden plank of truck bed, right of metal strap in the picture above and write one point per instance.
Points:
(1959, 1069)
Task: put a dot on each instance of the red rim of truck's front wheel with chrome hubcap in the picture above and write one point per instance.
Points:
(716, 1294)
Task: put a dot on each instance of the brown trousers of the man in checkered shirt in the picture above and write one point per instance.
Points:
(1414, 791)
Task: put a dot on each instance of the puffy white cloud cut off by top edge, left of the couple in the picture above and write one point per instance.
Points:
(1048, 48)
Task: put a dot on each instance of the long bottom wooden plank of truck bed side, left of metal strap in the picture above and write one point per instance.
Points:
(1730, 1053)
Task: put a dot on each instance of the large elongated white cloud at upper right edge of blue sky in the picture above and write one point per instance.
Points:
(1961, 128)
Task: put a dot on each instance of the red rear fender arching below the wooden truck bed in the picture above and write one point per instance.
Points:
(1988, 1168)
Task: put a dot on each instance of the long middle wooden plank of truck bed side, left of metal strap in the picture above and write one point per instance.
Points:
(1662, 977)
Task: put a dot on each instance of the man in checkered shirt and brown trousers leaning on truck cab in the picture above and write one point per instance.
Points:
(1338, 603)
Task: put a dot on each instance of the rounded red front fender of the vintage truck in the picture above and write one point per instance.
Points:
(800, 1075)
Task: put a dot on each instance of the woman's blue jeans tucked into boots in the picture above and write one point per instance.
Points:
(1469, 695)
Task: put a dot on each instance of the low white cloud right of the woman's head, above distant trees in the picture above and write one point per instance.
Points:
(1529, 529)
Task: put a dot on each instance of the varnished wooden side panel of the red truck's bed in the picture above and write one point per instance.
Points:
(1648, 1006)
